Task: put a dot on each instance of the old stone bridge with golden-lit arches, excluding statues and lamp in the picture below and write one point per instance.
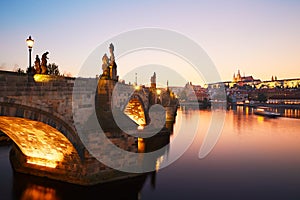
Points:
(42, 114)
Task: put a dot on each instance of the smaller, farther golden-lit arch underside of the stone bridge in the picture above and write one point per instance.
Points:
(134, 110)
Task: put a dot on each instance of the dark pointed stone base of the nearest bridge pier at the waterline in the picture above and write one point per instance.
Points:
(90, 172)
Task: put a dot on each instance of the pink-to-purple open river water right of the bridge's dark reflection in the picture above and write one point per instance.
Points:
(255, 158)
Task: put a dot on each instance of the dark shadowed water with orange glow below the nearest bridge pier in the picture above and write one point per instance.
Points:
(21, 186)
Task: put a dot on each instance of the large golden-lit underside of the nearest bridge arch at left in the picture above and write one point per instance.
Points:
(40, 143)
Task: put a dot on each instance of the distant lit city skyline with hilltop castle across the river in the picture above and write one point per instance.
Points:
(243, 89)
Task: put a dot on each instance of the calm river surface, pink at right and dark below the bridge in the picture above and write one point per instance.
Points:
(254, 158)
